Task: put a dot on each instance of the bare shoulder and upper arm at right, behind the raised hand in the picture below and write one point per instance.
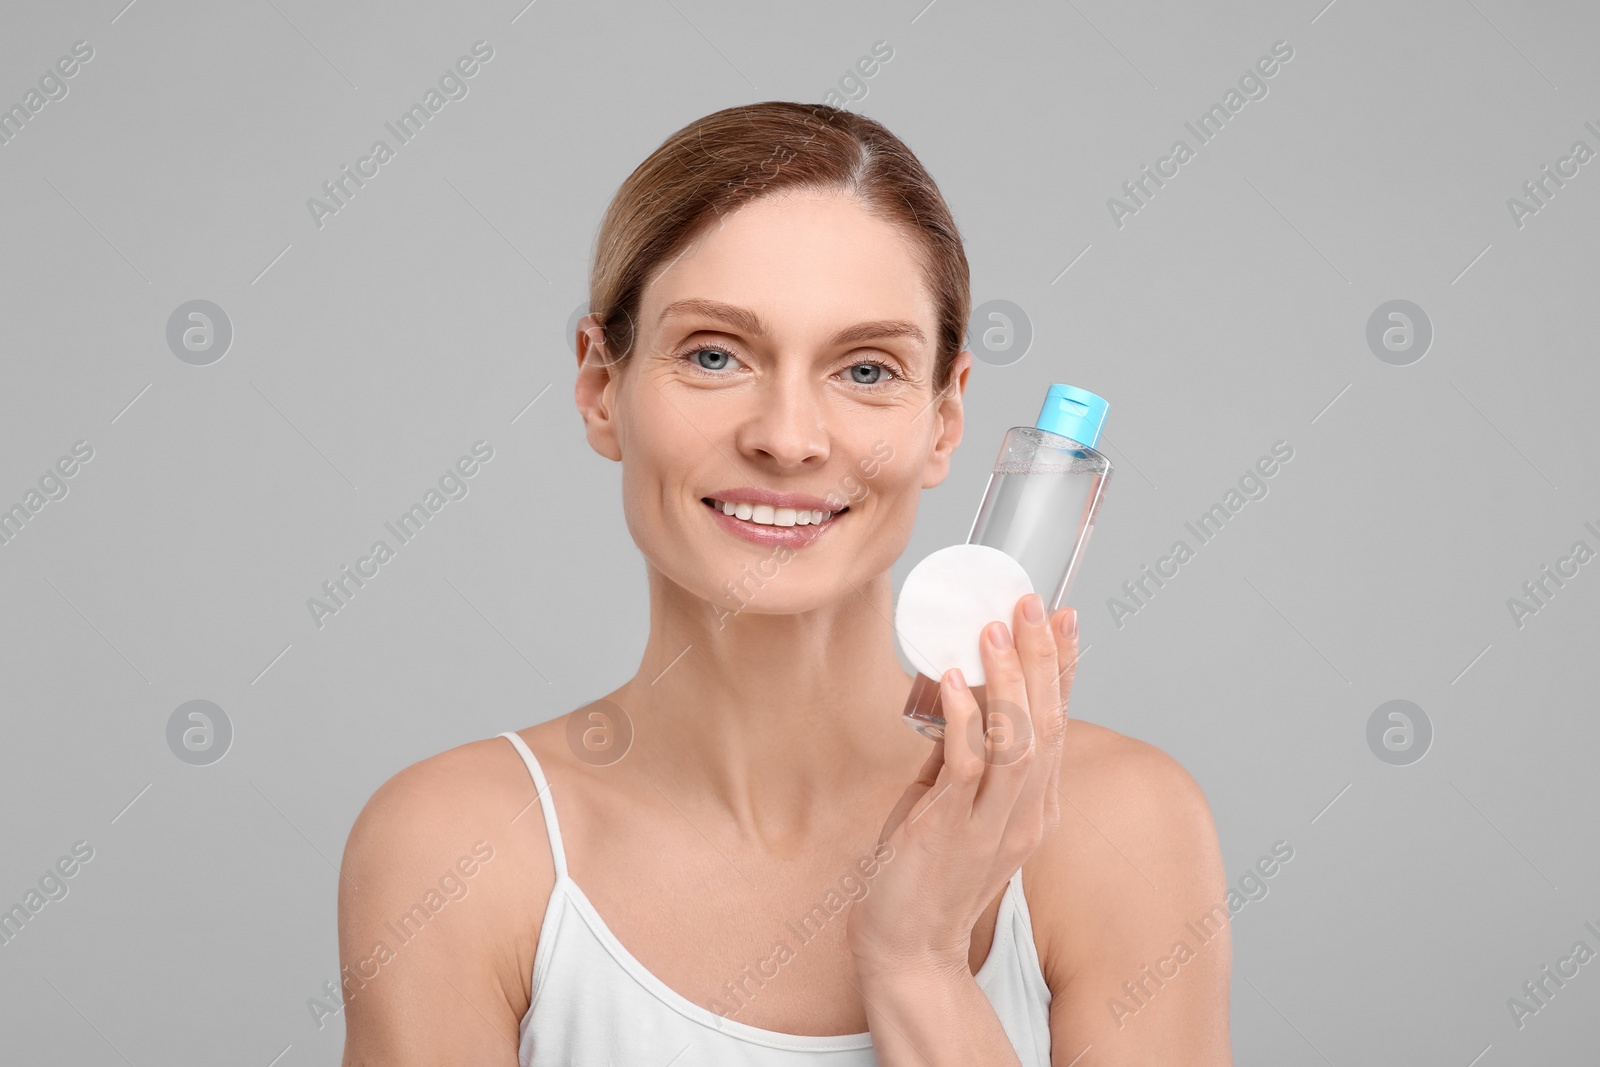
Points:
(1129, 905)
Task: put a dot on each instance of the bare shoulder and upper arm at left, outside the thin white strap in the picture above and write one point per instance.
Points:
(442, 885)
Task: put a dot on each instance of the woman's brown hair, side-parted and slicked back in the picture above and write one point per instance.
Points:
(732, 158)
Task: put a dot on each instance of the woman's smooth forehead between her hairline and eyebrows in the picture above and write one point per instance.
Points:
(801, 262)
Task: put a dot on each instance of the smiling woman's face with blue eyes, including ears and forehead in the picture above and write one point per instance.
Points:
(788, 354)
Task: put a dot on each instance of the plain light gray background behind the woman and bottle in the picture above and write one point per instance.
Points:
(369, 354)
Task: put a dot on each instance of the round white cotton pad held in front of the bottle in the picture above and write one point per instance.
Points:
(950, 599)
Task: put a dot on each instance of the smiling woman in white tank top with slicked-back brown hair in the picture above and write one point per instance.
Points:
(766, 865)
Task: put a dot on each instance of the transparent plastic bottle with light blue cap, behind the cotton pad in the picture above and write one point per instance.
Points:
(1039, 510)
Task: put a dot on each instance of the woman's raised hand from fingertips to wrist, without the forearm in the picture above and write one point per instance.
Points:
(982, 805)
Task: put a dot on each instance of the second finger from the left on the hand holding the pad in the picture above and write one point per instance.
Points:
(1009, 729)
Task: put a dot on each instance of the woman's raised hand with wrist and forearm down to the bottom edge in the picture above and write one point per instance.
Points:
(982, 807)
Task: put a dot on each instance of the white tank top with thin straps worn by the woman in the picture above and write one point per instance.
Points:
(596, 1004)
